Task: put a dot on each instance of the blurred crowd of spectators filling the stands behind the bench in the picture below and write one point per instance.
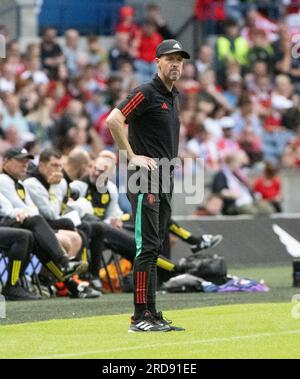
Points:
(240, 94)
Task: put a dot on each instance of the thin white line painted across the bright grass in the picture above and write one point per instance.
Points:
(193, 342)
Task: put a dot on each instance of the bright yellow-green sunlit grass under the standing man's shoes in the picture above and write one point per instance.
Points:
(236, 331)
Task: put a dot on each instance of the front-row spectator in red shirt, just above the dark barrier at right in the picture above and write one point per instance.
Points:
(269, 186)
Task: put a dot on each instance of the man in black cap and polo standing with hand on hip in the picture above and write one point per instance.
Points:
(151, 112)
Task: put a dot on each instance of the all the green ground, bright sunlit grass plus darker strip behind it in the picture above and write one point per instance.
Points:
(244, 326)
